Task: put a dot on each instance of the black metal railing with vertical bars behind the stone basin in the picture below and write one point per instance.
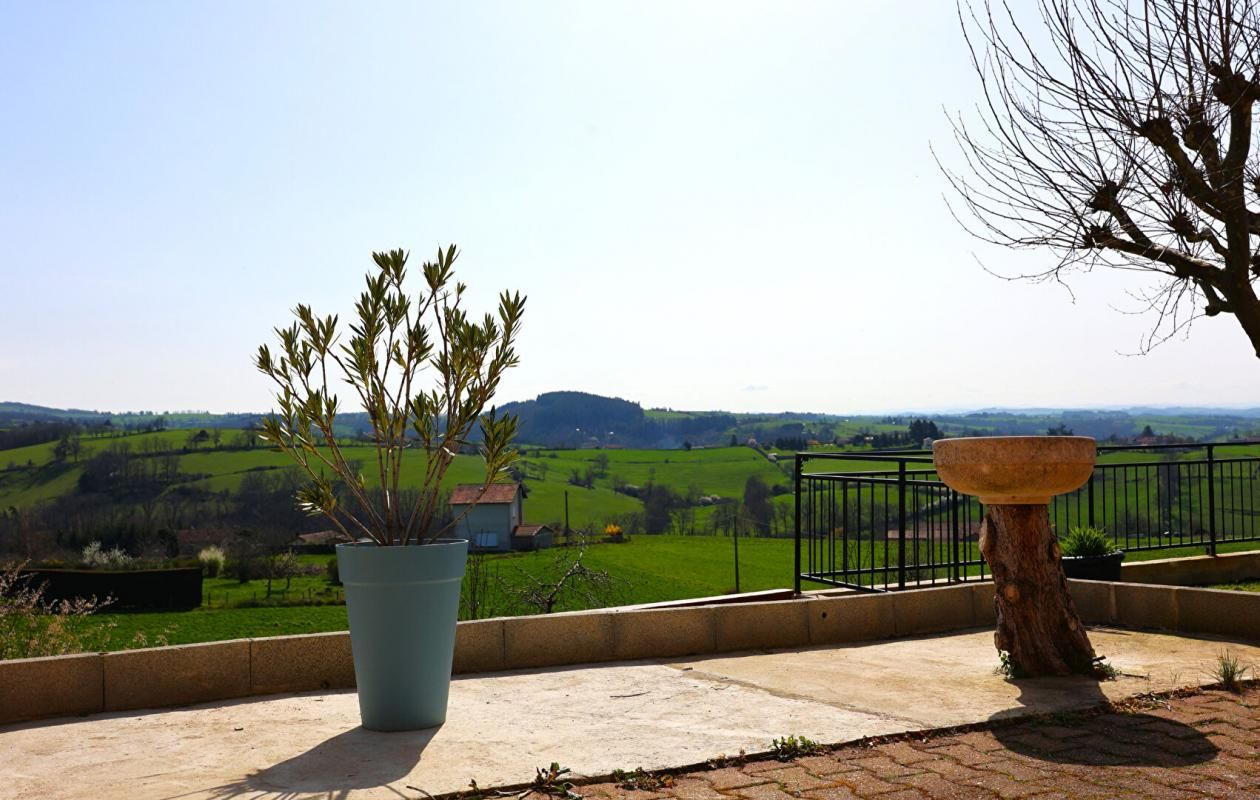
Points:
(898, 526)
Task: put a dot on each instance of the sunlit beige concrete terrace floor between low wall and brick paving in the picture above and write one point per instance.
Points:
(594, 720)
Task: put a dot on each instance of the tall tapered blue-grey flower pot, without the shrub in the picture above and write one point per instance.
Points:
(404, 604)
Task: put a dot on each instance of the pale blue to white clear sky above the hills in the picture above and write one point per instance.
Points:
(710, 206)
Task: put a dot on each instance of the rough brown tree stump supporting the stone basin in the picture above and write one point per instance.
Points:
(1038, 622)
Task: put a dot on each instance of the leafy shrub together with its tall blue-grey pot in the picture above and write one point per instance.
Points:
(425, 372)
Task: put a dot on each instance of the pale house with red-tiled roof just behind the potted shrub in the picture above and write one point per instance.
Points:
(497, 520)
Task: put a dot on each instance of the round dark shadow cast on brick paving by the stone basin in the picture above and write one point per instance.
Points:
(1092, 739)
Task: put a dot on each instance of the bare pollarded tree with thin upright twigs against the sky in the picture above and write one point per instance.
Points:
(1120, 134)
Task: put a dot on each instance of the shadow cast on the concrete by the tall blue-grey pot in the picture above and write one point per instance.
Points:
(333, 769)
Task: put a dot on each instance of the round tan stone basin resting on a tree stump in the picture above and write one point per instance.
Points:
(1015, 471)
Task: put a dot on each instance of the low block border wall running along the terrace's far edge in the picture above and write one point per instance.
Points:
(186, 675)
